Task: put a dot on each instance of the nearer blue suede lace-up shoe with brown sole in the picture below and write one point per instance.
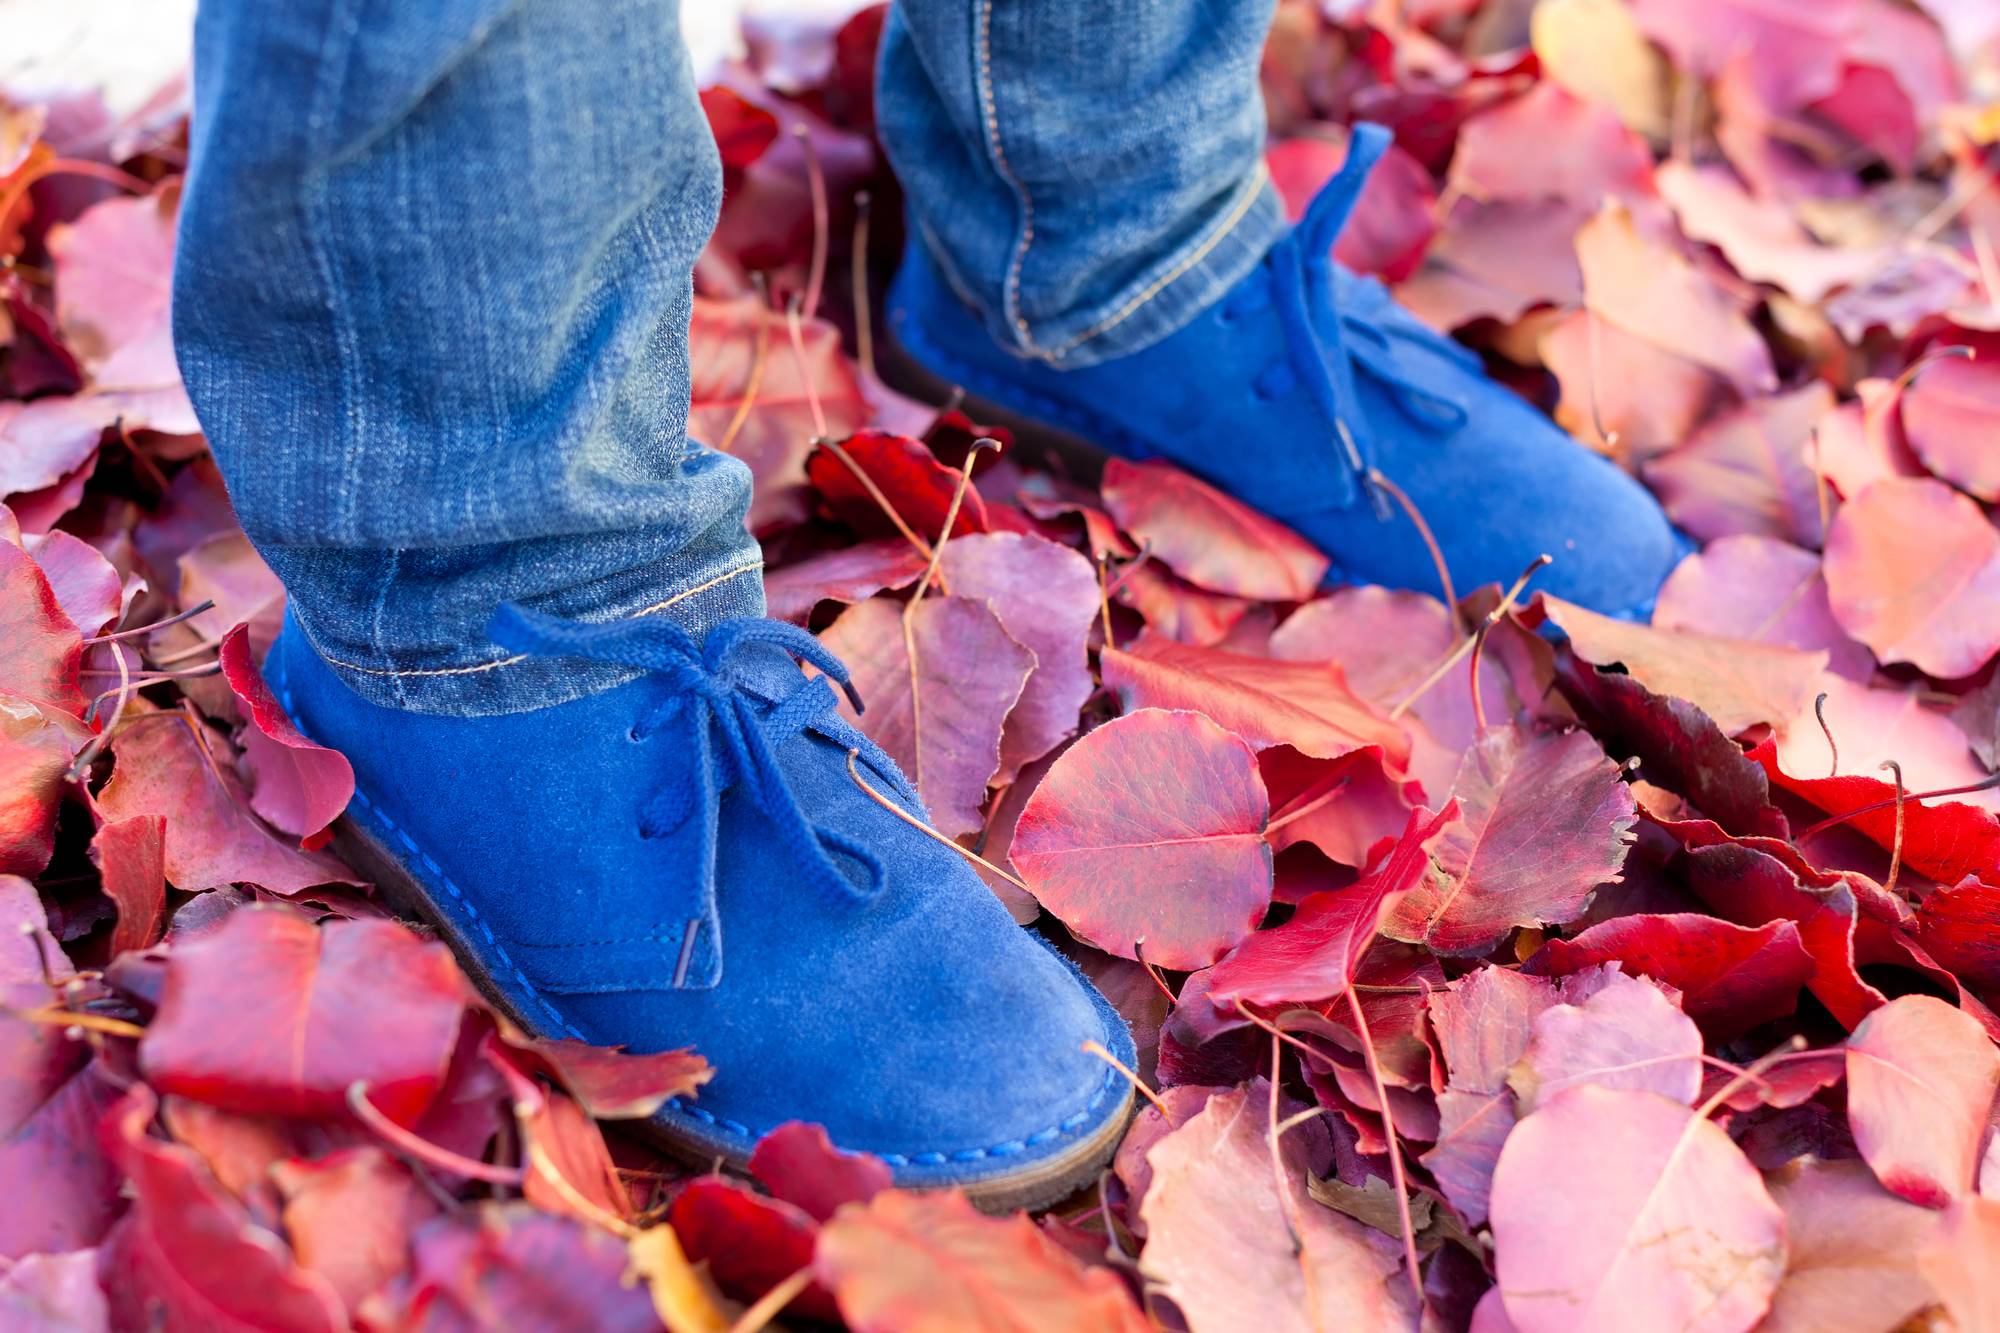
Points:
(689, 860)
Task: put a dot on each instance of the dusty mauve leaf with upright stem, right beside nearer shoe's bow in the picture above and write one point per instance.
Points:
(969, 678)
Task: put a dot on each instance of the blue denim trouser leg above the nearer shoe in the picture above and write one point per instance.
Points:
(433, 307)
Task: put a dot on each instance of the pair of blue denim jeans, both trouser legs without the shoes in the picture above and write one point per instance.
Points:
(433, 285)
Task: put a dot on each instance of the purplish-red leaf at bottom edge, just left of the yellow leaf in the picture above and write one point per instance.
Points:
(511, 1268)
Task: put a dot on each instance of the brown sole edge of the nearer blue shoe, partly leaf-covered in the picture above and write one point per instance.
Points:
(1037, 1188)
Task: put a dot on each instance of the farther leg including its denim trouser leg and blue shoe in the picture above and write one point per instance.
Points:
(1097, 253)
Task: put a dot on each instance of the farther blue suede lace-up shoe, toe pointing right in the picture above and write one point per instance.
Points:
(1299, 393)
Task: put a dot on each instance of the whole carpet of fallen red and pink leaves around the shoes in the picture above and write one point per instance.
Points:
(1641, 982)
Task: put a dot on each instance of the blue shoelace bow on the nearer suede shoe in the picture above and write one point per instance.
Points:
(735, 738)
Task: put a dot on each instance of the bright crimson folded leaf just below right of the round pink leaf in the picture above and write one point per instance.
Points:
(1311, 960)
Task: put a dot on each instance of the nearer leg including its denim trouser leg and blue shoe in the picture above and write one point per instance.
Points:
(433, 309)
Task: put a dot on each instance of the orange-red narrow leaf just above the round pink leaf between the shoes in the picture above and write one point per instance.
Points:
(1265, 702)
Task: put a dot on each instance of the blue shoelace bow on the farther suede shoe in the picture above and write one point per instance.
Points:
(1325, 353)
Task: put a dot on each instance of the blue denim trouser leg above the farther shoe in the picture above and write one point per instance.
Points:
(1087, 175)
